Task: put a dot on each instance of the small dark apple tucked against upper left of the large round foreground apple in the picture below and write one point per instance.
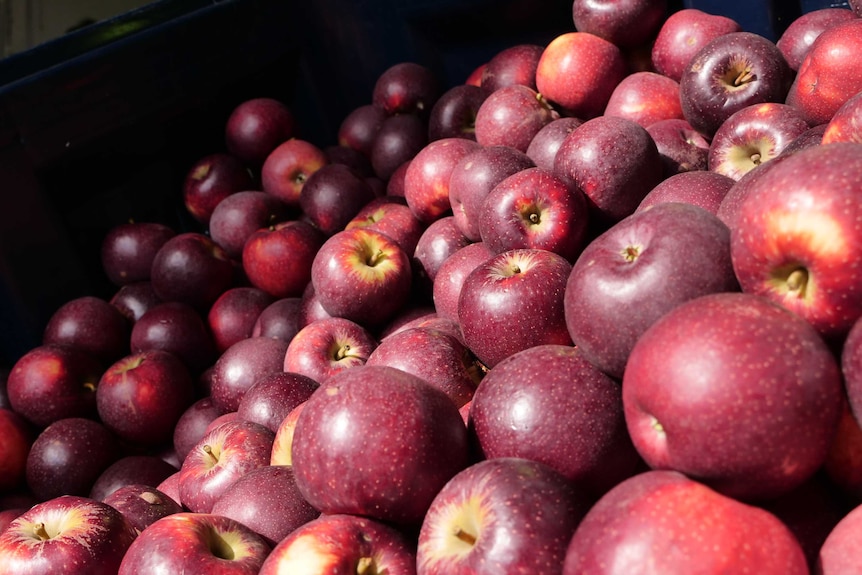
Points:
(272, 397)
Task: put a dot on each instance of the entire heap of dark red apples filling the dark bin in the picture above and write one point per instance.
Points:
(595, 310)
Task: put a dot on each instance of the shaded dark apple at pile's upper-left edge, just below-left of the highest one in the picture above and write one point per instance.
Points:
(210, 180)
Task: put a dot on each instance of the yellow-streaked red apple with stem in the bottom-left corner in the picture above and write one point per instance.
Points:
(66, 534)
